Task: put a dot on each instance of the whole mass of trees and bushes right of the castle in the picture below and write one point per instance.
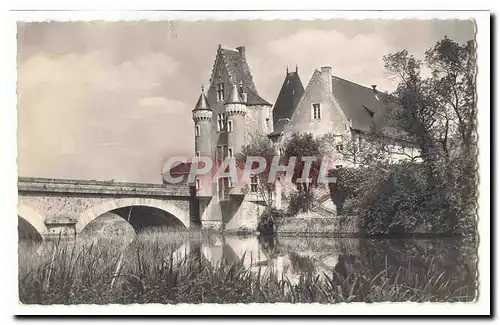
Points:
(436, 111)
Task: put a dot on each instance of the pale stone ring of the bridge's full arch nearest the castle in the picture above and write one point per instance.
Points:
(92, 213)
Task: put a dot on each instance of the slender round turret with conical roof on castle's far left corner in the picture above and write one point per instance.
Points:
(202, 117)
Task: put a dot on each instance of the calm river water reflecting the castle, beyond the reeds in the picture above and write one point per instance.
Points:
(290, 258)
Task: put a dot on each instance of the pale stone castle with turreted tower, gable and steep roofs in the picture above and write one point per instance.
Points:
(231, 111)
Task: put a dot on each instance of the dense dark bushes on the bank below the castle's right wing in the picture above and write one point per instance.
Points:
(392, 200)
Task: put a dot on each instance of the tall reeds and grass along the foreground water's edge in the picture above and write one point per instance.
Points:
(159, 269)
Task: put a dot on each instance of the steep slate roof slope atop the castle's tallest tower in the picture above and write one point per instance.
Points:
(238, 69)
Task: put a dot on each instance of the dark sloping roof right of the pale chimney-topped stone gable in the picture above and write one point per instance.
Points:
(360, 104)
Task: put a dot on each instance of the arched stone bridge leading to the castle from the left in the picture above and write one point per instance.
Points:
(50, 207)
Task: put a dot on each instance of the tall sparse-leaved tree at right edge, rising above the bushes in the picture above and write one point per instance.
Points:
(440, 111)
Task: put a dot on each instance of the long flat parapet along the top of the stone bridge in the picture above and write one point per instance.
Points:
(54, 185)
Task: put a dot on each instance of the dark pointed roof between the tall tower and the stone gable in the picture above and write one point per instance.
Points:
(290, 94)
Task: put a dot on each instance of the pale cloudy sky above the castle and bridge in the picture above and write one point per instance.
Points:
(113, 100)
